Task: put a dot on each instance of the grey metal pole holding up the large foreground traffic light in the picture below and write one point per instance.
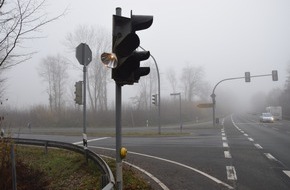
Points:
(119, 173)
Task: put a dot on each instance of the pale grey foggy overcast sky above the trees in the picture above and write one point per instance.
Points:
(225, 37)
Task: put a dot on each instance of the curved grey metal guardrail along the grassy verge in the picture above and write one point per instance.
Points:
(108, 180)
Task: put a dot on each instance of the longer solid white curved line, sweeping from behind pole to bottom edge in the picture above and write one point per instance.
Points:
(176, 163)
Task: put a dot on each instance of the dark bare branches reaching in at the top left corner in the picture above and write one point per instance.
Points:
(19, 21)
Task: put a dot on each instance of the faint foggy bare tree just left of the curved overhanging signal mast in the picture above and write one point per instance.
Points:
(191, 81)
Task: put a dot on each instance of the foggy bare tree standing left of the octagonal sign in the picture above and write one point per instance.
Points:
(53, 71)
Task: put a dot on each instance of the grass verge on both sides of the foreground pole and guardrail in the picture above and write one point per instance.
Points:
(61, 169)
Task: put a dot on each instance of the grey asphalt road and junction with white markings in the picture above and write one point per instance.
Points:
(241, 153)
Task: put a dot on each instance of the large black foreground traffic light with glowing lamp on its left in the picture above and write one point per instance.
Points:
(125, 59)
